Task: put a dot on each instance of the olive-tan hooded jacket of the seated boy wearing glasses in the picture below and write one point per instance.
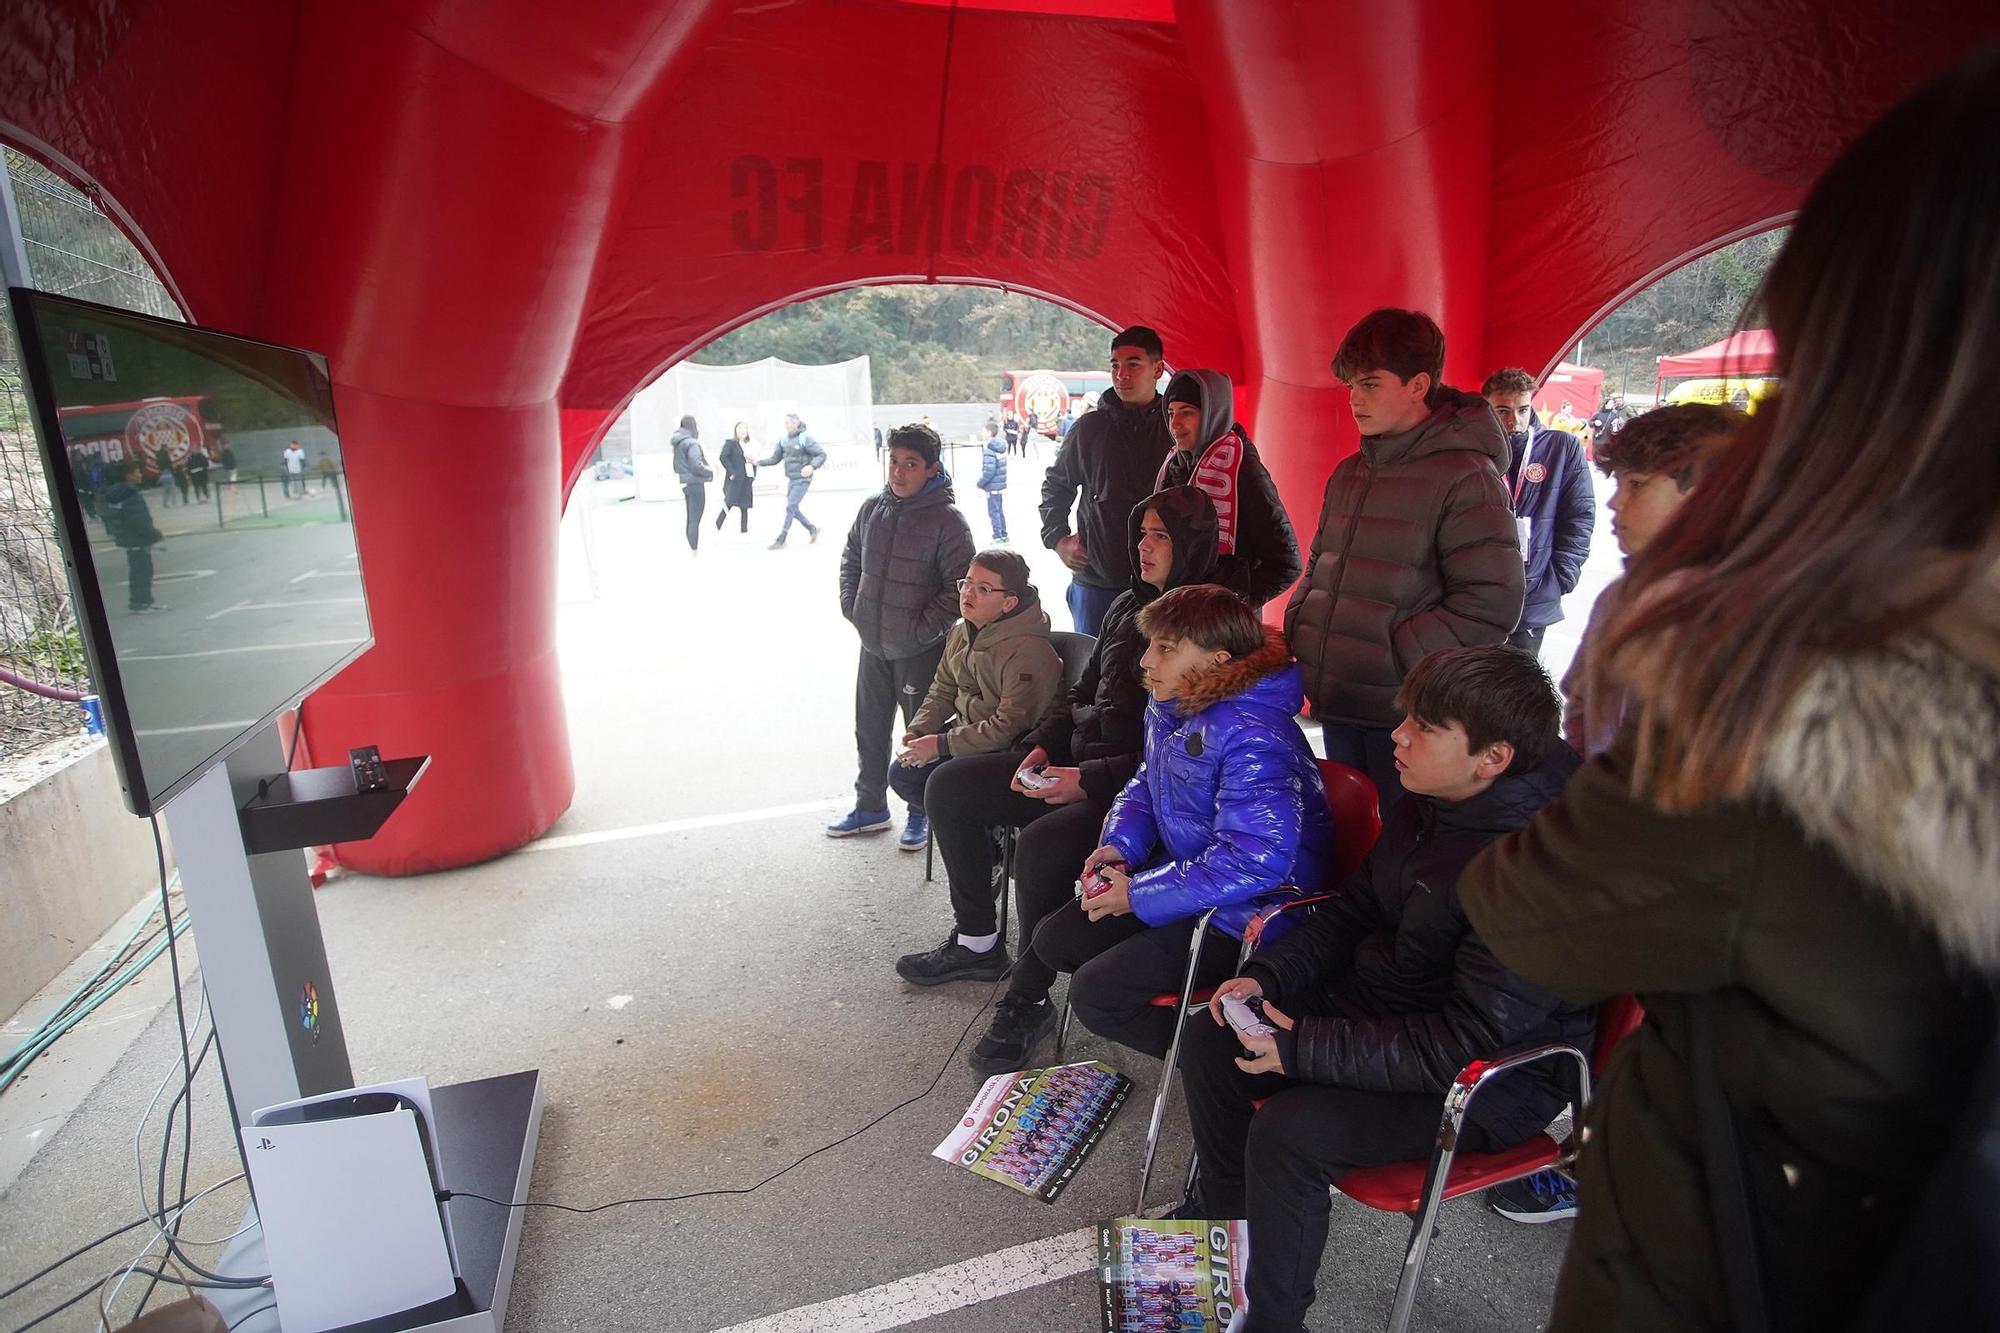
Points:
(993, 684)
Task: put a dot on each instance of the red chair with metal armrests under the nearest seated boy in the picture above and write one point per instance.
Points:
(1421, 1188)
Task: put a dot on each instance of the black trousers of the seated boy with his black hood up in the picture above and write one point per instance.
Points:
(971, 796)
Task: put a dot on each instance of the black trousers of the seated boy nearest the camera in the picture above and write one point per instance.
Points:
(1277, 1164)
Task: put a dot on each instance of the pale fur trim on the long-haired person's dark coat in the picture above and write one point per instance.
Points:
(1893, 760)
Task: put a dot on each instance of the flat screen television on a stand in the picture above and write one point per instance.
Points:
(205, 513)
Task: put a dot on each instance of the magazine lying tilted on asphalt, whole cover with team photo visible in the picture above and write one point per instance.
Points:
(1031, 1130)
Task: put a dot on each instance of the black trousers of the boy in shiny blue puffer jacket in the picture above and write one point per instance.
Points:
(1119, 964)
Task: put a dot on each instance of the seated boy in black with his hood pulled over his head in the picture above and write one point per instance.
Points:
(1089, 744)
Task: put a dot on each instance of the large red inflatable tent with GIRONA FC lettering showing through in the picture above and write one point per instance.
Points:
(503, 219)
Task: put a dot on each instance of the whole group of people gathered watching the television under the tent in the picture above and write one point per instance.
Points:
(1171, 776)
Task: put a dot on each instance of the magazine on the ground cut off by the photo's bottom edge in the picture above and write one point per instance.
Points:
(1171, 1276)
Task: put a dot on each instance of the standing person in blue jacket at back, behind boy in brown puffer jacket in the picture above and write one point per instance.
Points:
(1555, 507)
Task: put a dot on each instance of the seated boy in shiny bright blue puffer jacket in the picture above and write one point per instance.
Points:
(1225, 812)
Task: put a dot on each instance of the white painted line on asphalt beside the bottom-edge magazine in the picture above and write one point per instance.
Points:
(939, 1292)
